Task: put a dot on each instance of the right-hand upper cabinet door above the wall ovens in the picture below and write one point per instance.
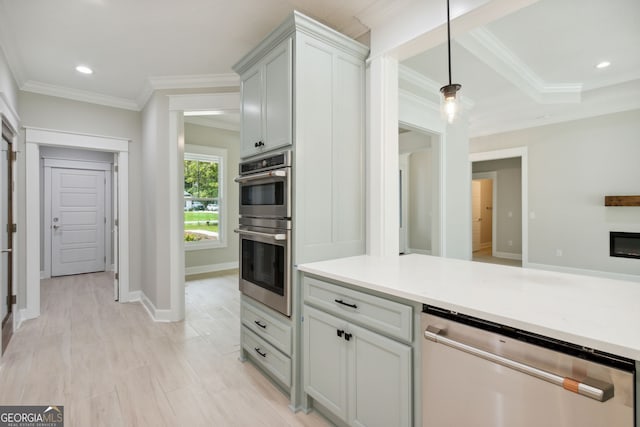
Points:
(278, 96)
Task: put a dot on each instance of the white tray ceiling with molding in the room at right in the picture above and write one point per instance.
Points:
(537, 65)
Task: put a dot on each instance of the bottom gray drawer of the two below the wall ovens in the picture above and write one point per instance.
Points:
(266, 356)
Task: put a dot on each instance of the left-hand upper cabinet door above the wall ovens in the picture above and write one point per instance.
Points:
(251, 111)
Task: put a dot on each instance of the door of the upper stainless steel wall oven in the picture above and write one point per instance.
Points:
(266, 194)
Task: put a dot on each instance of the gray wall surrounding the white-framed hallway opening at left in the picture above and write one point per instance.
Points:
(67, 115)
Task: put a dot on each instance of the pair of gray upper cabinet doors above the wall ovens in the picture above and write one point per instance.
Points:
(266, 106)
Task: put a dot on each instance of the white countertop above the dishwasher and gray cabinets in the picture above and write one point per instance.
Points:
(594, 312)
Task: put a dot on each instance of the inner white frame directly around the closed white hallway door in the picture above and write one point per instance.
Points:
(49, 164)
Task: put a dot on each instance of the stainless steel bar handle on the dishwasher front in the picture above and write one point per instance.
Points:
(601, 394)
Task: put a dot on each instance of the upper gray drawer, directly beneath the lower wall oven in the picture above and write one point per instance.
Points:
(277, 332)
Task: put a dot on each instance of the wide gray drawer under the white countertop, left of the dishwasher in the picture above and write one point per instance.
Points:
(389, 317)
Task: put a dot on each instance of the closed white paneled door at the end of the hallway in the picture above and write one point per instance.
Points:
(77, 221)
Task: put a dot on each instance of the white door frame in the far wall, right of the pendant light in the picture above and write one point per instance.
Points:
(522, 153)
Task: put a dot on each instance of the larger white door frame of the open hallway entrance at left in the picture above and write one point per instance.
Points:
(36, 137)
